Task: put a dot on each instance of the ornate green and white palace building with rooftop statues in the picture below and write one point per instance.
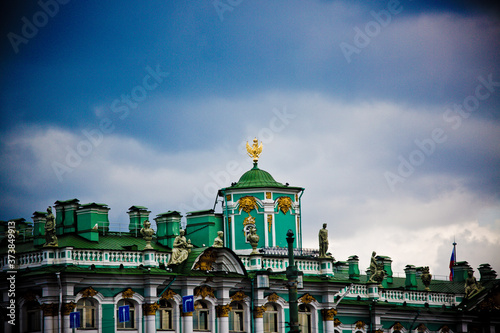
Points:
(95, 272)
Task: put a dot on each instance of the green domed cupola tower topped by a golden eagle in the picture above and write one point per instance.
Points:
(258, 201)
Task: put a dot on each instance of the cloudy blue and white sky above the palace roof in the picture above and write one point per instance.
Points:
(386, 112)
